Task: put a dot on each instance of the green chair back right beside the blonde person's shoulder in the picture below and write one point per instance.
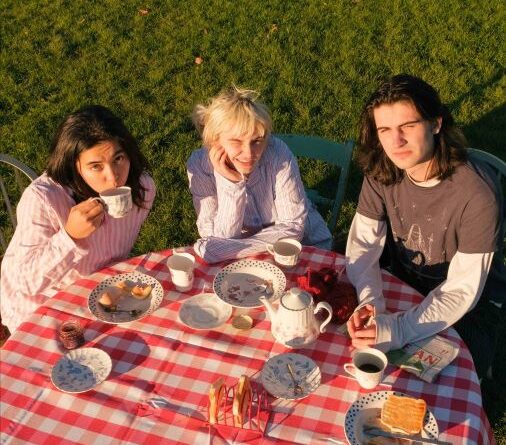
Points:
(333, 153)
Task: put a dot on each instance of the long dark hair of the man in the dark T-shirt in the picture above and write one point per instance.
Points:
(449, 143)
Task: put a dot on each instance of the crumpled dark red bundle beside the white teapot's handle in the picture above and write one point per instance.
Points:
(327, 285)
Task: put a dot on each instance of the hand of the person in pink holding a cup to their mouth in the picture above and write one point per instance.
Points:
(84, 218)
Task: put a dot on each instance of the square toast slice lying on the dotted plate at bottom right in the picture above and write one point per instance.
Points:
(404, 414)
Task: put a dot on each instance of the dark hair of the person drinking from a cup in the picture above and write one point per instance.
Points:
(82, 130)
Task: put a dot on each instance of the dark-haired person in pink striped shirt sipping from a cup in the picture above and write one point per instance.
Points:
(63, 231)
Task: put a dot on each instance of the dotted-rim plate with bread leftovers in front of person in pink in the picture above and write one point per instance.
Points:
(142, 307)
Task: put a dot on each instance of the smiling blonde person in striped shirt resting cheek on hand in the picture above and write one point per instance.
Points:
(245, 183)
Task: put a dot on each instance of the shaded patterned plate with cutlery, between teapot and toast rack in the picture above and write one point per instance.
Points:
(278, 382)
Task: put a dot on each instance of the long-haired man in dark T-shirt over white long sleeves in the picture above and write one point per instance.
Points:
(440, 217)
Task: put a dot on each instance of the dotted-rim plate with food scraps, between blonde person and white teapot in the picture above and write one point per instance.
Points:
(241, 284)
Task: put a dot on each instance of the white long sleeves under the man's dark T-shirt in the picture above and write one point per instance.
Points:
(441, 308)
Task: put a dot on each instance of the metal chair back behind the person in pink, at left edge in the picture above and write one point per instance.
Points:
(12, 184)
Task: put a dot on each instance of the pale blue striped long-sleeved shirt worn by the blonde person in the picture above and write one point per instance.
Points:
(238, 219)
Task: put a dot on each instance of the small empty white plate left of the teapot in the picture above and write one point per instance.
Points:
(204, 311)
